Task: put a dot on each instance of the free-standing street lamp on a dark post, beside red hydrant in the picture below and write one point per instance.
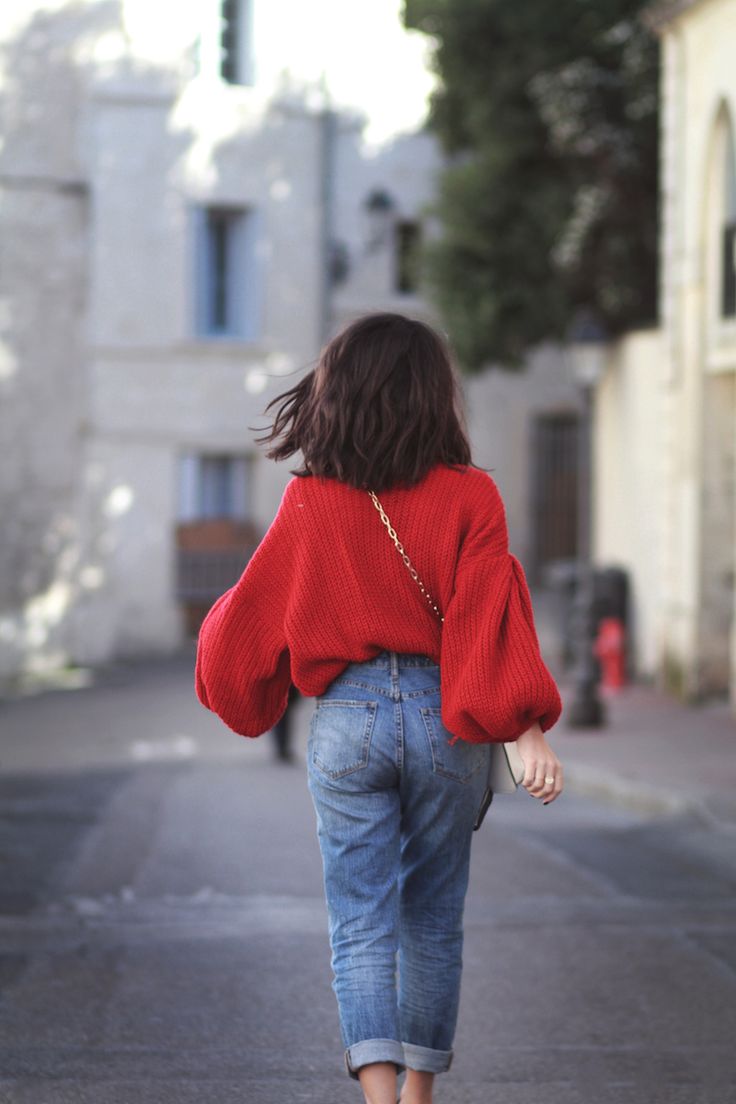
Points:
(588, 357)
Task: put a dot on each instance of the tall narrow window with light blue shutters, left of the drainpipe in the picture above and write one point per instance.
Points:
(226, 273)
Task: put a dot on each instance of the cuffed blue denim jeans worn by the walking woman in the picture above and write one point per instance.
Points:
(396, 806)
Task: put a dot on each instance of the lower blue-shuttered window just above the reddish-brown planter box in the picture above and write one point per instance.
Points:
(214, 486)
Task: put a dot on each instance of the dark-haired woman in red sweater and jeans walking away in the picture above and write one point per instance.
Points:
(408, 704)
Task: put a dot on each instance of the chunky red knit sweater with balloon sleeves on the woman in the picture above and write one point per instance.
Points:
(327, 587)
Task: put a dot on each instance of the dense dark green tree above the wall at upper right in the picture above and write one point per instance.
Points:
(549, 118)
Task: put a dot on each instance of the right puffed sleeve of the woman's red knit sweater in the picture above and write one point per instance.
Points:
(495, 684)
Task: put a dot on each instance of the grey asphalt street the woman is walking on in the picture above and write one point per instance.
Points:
(164, 935)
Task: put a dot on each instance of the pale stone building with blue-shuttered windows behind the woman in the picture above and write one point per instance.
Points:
(182, 228)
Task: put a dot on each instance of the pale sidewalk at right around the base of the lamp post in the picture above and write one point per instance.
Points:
(654, 755)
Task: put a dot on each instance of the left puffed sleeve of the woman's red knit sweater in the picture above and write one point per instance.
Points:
(243, 671)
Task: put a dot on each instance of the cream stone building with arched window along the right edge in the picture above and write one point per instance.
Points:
(666, 410)
